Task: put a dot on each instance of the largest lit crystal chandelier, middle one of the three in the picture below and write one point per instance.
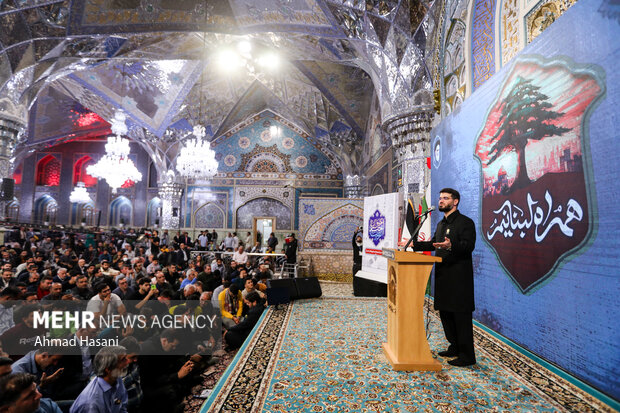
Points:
(115, 166)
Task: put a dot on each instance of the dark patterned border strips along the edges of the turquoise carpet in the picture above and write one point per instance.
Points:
(244, 386)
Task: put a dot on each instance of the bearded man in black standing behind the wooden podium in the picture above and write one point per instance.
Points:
(454, 242)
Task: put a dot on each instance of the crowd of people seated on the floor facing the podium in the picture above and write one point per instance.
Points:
(118, 273)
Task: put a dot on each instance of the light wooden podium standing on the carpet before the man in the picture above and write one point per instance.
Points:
(407, 348)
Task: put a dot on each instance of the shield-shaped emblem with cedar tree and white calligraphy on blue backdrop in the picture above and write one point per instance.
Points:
(535, 187)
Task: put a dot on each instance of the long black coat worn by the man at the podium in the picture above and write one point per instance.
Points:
(454, 276)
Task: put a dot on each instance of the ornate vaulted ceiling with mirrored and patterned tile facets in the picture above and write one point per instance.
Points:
(158, 60)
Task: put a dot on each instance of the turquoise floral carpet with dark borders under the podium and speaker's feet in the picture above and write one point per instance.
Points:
(324, 355)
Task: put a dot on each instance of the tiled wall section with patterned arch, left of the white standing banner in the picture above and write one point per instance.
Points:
(328, 223)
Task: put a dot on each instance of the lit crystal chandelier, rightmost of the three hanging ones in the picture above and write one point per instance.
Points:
(196, 159)
